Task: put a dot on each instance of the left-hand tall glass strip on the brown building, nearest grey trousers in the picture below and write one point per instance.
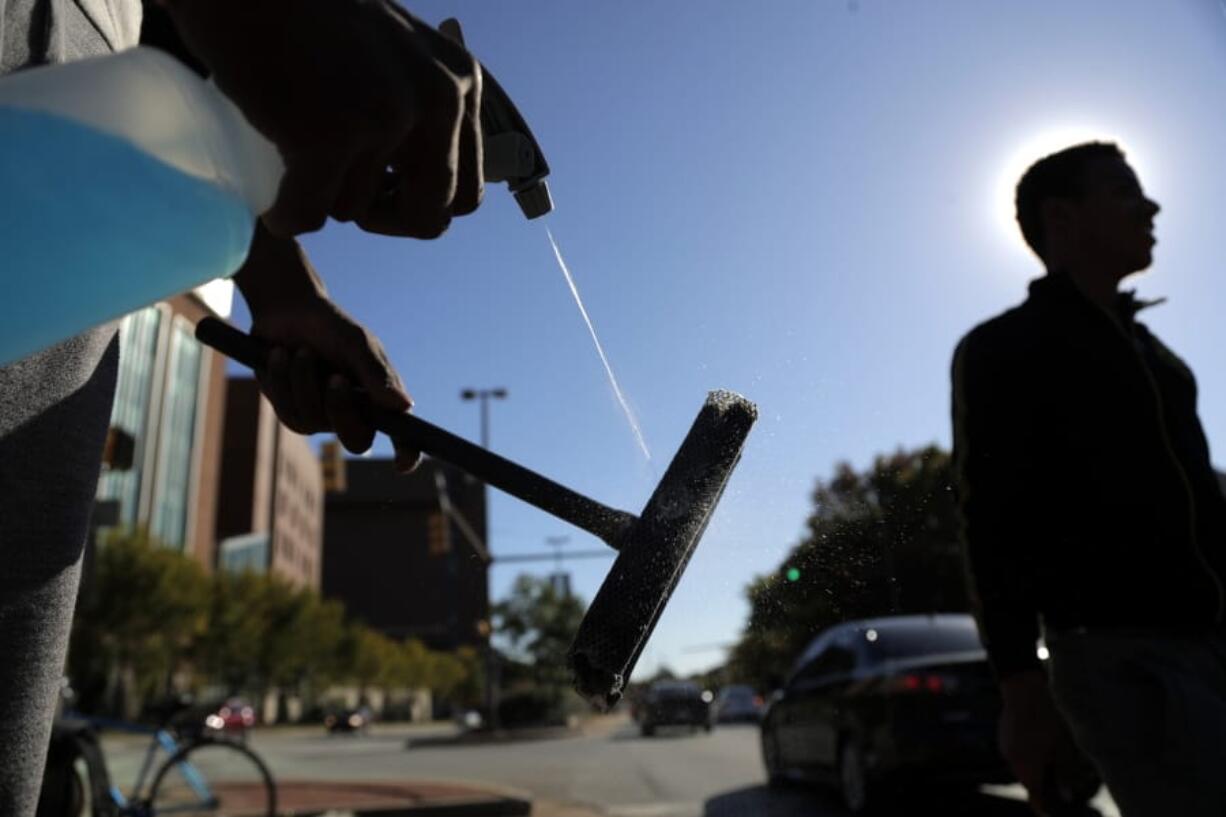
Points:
(138, 358)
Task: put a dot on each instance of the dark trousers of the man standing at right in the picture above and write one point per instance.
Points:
(1151, 712)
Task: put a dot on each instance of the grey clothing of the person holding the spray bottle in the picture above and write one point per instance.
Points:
(55, 409)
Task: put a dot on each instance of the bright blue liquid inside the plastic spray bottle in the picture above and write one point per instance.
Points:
(91, 229)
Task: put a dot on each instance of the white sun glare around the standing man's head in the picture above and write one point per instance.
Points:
(1043, 142)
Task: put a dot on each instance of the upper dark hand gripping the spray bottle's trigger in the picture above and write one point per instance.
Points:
(376, 115)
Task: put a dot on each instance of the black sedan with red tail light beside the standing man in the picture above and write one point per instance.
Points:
(881, 704)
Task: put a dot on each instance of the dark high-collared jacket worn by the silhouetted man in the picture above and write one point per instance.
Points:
(1084, 478)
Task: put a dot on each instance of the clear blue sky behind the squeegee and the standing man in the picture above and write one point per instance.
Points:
(799, 201)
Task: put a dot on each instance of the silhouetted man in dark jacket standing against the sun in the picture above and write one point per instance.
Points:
(1092, 510)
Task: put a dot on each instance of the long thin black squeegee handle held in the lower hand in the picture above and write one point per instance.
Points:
(514, 479)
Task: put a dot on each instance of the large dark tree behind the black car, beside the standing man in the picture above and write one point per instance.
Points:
(880, 543)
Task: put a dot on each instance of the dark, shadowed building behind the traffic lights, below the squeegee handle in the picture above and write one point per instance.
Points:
(408, 555)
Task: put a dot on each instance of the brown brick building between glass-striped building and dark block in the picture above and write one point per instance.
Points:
(270, 511)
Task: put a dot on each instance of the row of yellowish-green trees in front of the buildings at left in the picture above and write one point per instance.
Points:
(155, 614)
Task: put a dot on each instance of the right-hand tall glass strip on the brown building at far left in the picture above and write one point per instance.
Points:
(177, 437)
